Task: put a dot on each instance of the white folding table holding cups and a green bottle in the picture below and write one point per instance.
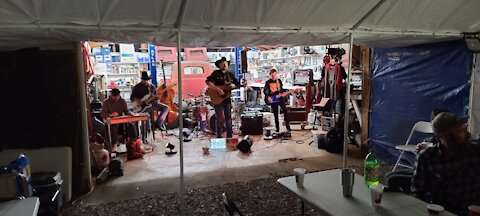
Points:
(323, 190)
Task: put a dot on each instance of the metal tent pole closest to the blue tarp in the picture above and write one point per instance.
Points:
(347, 101)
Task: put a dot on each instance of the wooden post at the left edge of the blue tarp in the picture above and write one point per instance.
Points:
(365, 107)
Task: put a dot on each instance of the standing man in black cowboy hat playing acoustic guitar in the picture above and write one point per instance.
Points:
(220, 78)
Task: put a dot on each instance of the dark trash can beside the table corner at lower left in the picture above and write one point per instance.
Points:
(47, 187)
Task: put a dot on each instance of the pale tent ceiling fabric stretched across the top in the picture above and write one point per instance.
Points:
(26, 23)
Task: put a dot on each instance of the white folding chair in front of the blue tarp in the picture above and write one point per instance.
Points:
(420, 127)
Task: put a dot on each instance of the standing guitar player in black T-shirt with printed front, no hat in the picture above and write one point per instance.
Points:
(273, 87)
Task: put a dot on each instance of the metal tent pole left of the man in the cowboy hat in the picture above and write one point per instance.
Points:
(180, 122)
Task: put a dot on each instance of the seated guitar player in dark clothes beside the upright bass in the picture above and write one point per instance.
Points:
(144, 88)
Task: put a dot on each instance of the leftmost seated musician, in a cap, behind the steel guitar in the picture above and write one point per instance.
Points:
(116, 106)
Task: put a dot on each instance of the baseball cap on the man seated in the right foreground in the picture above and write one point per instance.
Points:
(445, 121)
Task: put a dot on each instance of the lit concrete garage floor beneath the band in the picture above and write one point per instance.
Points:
(160, 173)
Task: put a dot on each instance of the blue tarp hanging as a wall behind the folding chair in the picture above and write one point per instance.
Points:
(408, 83)
